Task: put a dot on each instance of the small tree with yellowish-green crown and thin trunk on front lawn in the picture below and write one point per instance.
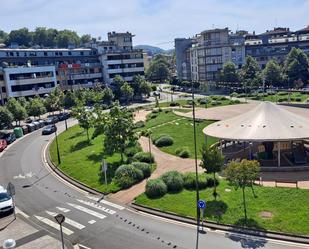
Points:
(242, 175)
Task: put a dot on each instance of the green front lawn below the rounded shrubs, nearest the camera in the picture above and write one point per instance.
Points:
(289, 207)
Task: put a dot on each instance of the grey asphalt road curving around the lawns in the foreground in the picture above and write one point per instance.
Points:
(40, 195)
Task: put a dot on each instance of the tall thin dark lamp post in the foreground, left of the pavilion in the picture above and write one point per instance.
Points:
(196, 171)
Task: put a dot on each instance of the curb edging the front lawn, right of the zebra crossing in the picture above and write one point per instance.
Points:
(228, 228)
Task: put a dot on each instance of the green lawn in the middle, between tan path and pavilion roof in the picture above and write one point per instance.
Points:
(181, 130)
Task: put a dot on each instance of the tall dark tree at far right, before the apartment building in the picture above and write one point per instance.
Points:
(296, 66)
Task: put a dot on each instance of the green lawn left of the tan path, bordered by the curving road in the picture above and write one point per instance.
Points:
(82, 161)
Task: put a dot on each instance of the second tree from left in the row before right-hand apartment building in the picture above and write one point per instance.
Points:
(250, 72)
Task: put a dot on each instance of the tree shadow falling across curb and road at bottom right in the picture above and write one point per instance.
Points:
(246, 241)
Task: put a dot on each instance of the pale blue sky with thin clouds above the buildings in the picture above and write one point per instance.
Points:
(154, 22)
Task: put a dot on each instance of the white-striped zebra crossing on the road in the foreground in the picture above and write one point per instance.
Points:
(94, 211)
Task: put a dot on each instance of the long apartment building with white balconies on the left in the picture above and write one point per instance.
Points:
(36, 71)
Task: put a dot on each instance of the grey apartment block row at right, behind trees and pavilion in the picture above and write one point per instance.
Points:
(211, 49)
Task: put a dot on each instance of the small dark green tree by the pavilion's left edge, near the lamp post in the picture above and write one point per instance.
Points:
(212, 162)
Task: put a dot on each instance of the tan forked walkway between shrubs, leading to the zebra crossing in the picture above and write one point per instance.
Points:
(165, 162)
